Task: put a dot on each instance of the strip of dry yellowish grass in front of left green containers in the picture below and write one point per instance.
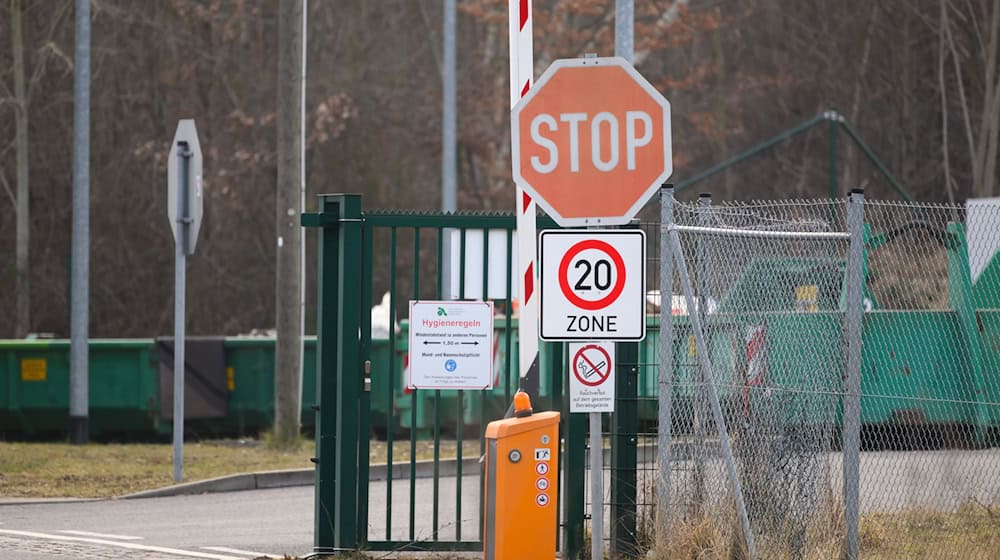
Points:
(50, 470)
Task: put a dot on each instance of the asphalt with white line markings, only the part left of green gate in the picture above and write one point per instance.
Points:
(227, 526)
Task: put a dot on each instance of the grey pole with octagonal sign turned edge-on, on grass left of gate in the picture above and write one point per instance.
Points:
(184, 208)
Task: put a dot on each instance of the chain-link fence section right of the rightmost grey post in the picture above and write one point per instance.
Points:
(930, 392)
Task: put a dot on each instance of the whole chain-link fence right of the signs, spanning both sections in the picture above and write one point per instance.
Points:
(768, 283)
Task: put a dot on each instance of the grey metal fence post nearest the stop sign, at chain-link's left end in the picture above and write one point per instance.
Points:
(666, 359)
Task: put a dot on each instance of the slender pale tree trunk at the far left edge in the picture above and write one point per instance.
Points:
(23, 321)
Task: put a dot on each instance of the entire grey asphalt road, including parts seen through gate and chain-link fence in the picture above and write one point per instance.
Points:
(254, 523)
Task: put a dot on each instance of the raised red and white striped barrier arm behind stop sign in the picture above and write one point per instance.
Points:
(521, 79)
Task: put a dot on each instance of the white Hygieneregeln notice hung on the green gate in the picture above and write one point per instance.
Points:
(451, 344)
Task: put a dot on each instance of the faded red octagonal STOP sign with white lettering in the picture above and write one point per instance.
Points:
(591, 141)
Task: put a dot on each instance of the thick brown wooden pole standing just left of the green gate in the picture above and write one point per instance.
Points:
(288, 354)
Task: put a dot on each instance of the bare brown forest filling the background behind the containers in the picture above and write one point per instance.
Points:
(918, 80)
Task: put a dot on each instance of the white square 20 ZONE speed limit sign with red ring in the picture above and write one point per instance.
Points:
(593, 284)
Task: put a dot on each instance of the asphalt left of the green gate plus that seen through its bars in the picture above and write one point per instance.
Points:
(224, 526)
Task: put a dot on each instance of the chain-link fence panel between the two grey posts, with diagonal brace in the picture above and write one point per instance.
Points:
(749, 463)
